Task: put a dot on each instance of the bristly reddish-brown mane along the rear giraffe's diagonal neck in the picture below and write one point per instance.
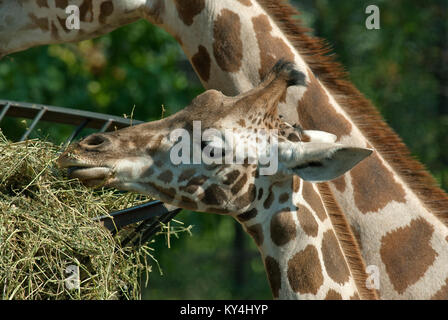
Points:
(369, 121)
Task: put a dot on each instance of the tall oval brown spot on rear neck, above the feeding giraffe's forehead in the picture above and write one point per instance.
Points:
(228, 47)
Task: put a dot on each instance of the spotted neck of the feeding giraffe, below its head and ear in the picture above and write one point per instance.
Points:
(302, 254)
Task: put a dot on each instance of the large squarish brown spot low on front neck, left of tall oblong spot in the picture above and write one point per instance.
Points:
(305, 271)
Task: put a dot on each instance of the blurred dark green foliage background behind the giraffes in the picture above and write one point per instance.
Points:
(140, 71)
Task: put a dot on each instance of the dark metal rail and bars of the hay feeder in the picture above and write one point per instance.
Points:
(151, 214)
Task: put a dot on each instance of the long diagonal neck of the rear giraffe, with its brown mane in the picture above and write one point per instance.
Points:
(391, 203)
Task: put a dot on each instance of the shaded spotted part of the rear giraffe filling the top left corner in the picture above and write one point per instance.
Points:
(25, 24)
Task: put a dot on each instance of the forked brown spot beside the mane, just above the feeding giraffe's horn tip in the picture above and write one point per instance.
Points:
(271, 48)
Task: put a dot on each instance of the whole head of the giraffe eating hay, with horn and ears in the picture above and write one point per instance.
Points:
(212, 155)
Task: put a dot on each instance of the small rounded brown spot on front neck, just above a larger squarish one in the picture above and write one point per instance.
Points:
(283, 228)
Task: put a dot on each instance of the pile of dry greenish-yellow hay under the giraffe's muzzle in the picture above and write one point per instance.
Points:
(46, 230)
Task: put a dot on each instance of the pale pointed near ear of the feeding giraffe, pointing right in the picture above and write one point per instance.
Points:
(320, 161)
